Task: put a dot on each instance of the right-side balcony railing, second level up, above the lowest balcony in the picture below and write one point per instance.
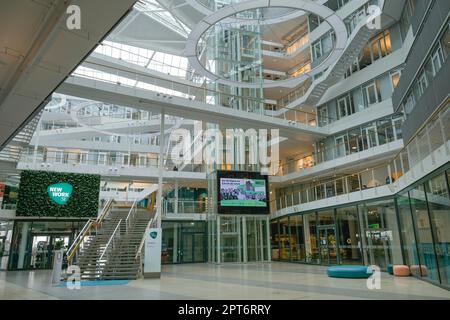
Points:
(357, 143)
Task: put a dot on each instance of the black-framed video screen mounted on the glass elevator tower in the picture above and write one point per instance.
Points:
(242, 192)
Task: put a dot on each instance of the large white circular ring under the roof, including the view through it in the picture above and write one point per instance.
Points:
(228, 49)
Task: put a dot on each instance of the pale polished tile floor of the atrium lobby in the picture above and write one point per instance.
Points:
(208, 281)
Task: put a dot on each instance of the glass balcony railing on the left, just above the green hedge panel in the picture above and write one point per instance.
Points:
(114, 160)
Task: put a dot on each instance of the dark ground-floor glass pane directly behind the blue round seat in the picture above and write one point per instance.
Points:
(350, 246)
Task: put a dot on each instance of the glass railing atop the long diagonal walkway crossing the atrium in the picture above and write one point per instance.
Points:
(214, 97)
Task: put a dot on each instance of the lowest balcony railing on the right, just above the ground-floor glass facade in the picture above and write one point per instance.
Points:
(433, 136)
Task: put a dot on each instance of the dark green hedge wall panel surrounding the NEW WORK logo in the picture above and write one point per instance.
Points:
(33, 199)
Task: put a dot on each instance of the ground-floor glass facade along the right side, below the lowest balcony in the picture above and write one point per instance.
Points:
(411, 228)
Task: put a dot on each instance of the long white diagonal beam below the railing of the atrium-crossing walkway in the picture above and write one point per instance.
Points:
(188, 109)
